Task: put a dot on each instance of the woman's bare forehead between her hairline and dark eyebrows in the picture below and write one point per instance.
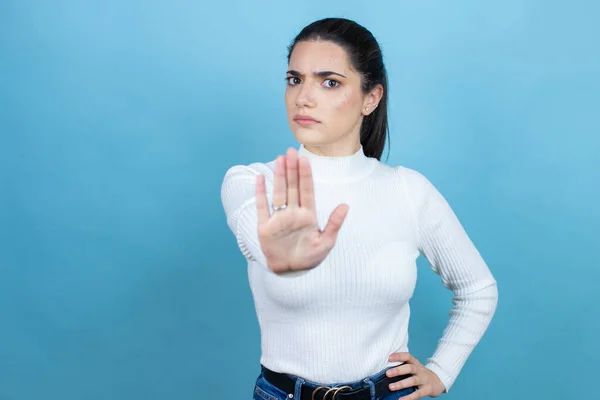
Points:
(319, 56)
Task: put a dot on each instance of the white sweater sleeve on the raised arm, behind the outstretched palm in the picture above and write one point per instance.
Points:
(238, 196)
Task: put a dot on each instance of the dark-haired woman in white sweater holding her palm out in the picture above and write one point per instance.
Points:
(333, 265)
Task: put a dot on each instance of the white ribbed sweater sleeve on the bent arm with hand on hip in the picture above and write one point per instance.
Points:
(451, 254)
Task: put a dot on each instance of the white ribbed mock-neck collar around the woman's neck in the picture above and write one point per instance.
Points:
(338, 169)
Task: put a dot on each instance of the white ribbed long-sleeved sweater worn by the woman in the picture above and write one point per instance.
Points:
(340, 321)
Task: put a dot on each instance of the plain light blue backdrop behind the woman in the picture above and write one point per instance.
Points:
(119, 278)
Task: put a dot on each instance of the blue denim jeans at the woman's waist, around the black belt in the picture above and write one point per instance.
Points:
(265, 390)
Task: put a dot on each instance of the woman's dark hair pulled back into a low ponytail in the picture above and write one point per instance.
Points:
(366, 59)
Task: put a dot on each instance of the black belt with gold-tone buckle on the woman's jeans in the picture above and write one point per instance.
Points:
(288, 385)
